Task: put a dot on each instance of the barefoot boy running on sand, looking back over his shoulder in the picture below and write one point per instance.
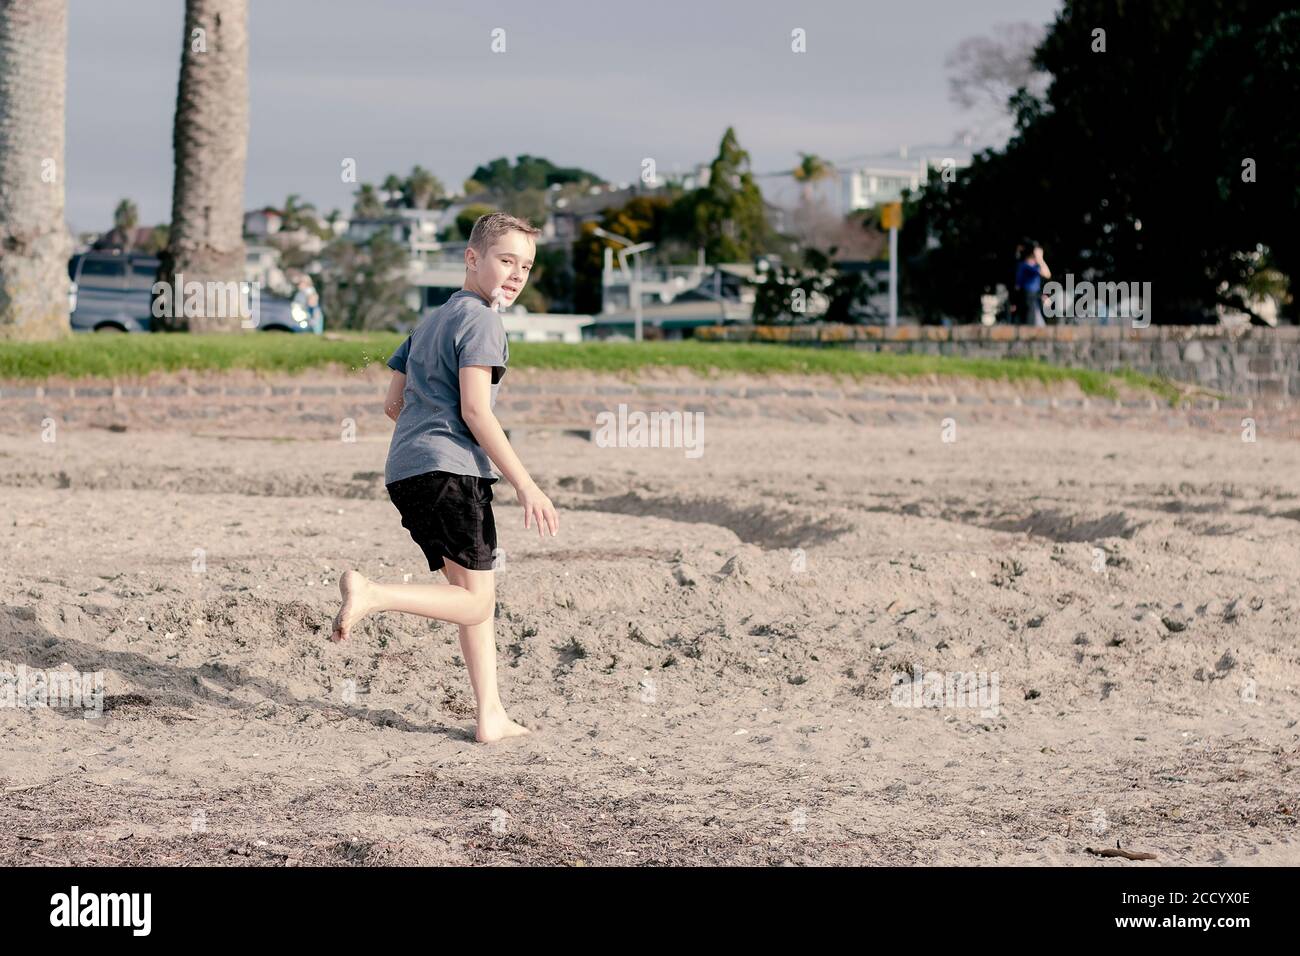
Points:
(439, 473)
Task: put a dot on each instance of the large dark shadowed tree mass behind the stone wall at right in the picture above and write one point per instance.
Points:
(1155, 192)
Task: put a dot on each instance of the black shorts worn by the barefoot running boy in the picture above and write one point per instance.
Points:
(449, 517)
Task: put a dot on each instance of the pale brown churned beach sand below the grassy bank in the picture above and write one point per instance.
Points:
(707, 652)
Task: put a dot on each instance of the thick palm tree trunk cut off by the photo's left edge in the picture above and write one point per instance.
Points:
(34, 241)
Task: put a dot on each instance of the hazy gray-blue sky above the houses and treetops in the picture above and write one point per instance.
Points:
(393, 84)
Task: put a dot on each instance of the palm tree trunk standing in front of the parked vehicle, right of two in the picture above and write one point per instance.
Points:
(211, 144)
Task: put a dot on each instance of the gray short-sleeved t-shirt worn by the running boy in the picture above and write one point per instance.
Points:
(431, 435)
